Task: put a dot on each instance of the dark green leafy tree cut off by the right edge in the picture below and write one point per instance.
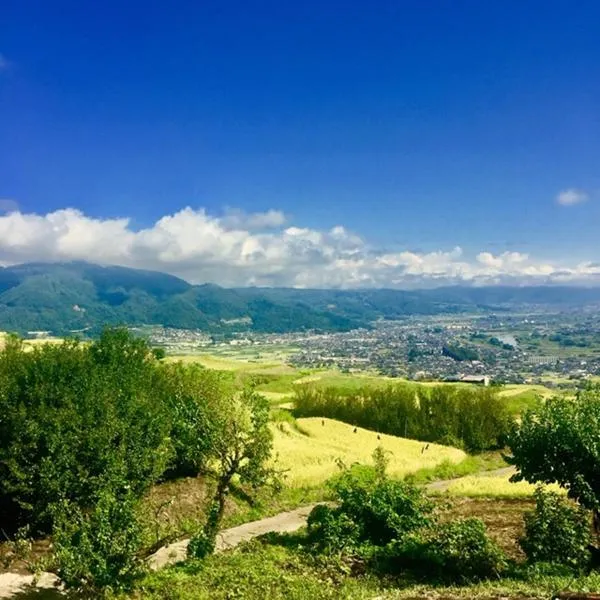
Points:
(559, 443)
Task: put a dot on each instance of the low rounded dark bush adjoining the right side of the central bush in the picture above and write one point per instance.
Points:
(458, 551)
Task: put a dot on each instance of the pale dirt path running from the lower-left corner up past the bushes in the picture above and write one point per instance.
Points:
(23, 586)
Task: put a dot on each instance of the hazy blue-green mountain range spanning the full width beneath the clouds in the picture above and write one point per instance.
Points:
(64, 297)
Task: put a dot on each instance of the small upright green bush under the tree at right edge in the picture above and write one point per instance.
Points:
(557, 532)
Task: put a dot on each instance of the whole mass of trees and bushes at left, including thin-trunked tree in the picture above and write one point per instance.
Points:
(86, 429)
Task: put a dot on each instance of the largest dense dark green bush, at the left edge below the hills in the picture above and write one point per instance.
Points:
(74, 417)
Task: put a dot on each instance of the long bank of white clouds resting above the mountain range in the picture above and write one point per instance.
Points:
(240, 249)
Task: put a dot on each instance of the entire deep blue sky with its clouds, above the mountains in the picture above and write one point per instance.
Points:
(417, 126)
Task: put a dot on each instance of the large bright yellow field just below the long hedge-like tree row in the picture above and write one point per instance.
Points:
(309, 453)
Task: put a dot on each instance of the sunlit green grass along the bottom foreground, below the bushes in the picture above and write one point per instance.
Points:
(276, 568)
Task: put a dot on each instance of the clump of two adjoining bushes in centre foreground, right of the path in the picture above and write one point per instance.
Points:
(391, 525)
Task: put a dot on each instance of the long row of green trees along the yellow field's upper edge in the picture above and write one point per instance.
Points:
(473, 418)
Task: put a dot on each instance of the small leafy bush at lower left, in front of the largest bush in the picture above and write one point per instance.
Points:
(98, 551)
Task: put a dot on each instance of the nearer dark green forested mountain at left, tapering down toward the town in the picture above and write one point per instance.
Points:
(66, 297)
